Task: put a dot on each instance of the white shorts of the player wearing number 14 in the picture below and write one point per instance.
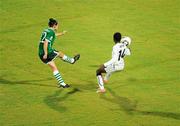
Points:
(114, 67)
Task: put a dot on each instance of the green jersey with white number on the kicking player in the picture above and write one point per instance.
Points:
(48, 35)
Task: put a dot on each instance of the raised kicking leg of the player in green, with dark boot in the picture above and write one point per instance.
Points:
(67, 58)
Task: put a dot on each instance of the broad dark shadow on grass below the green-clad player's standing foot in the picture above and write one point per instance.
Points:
(56, 100)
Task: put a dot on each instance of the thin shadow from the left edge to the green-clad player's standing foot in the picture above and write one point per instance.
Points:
(26, 82)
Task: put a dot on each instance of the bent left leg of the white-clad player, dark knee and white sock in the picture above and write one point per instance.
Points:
(100, 78)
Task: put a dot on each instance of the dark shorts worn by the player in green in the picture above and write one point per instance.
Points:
(50, 57)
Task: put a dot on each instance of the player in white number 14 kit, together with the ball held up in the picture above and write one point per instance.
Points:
(120, 50)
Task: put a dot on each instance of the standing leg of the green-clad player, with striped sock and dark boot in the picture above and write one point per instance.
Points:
(57, 75)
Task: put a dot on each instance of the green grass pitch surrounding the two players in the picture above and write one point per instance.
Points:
(146, 93)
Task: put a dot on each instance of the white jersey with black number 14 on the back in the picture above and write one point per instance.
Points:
(119, 51)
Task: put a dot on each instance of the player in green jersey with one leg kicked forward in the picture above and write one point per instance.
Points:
(47, 53)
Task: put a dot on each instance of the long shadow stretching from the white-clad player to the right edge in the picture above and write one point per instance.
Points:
(130, 107)
